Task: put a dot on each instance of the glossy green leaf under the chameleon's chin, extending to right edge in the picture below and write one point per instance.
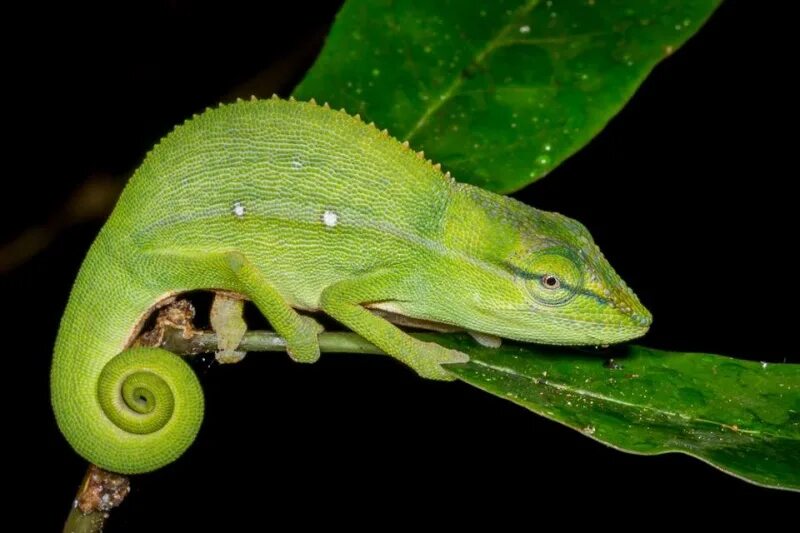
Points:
(742, 417)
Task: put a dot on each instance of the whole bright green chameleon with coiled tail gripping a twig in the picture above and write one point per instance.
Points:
(300, 207)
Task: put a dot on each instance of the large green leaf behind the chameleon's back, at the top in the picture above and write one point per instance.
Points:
(499, 92)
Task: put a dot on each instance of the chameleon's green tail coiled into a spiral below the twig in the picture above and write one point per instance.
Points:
(126, 410)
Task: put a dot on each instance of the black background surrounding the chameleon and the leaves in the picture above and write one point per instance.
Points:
(687, 191)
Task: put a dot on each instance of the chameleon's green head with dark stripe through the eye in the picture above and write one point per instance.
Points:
(552, 284)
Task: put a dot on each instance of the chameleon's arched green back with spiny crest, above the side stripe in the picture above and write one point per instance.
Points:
(281, 160)
